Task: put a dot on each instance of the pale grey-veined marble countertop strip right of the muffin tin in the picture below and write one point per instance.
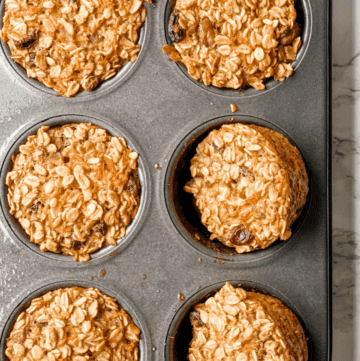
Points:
(346, 176)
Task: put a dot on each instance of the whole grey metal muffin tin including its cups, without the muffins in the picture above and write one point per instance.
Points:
(161, 114)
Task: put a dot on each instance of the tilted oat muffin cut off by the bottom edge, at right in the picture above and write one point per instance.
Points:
(246, 326)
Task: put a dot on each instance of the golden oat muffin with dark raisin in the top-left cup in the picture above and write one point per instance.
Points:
(72, 45)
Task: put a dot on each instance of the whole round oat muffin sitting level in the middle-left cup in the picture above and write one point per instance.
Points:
(74, 189)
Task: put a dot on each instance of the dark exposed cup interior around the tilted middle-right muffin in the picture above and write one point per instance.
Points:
(180, 204)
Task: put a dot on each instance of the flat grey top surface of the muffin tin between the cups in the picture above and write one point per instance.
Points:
(158, 106)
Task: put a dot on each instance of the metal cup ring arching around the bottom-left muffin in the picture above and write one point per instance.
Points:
(110, 290)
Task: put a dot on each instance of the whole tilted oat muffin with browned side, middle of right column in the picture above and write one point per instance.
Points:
(249, 184)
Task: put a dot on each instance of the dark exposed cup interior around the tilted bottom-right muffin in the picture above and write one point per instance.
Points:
(179, 333)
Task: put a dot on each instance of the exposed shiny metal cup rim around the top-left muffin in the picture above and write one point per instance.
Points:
(105, 87)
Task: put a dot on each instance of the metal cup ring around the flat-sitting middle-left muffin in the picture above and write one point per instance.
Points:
(58, 120)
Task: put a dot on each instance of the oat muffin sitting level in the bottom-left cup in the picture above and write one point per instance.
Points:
(73, 324)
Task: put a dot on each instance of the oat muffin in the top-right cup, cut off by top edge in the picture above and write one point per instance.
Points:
(234, 43)
